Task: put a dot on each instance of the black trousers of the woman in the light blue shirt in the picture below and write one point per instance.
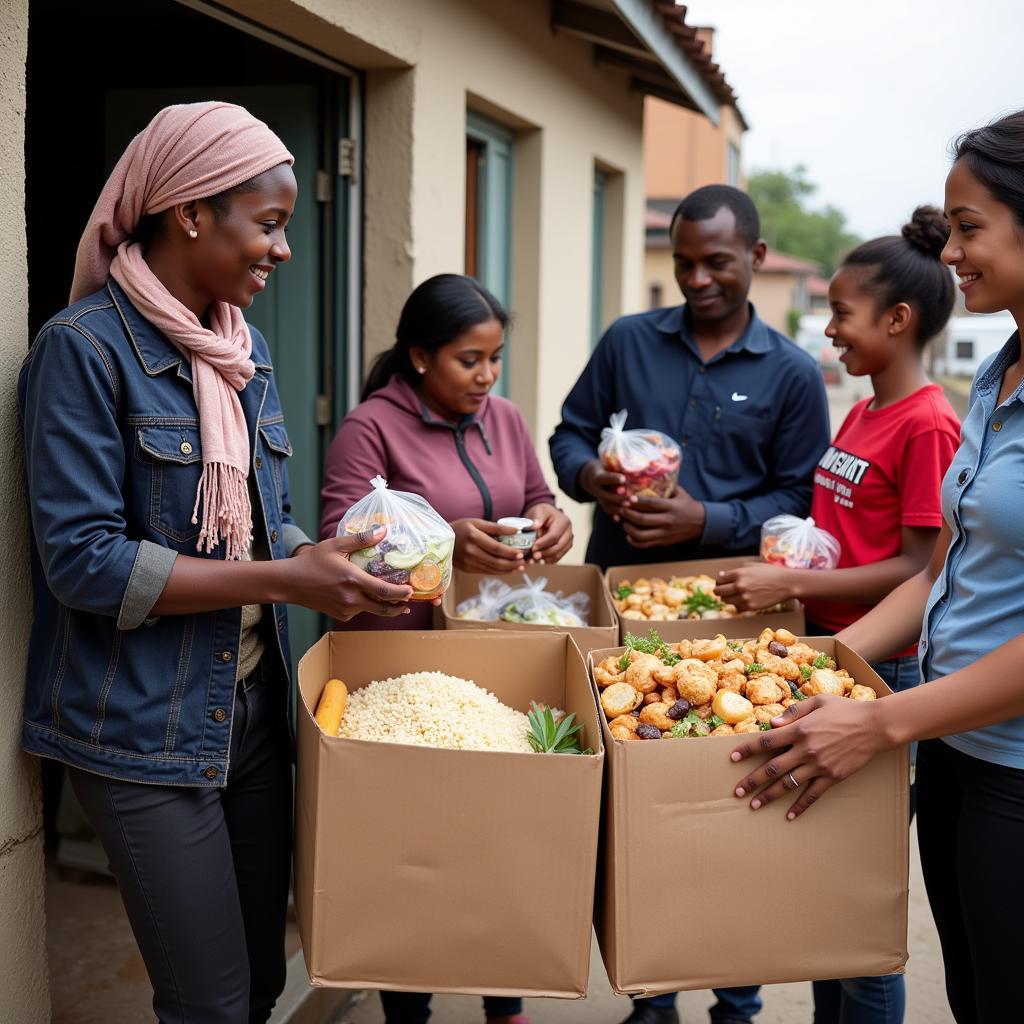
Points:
(971, 832)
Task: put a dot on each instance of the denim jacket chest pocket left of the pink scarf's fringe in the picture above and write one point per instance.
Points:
(175, 457)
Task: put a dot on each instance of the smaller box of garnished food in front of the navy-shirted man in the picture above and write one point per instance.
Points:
(678, 600)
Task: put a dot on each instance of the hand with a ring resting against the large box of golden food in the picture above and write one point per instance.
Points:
(825, 741)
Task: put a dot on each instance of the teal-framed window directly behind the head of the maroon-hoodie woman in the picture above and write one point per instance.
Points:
(489, 210)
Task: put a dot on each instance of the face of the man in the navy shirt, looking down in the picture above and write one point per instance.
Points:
(714, 266)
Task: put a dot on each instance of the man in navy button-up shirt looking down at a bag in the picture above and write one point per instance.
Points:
(747, 406)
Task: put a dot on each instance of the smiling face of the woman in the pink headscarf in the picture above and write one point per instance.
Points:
(241, 239)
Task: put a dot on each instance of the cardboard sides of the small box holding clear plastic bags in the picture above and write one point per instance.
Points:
(604, 628)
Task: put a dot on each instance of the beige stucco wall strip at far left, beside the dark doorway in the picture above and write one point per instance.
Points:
(24, 991)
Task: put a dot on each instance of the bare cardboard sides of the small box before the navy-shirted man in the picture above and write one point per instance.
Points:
(691, 629)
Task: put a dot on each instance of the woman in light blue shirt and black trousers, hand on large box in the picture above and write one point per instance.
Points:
(971, 713)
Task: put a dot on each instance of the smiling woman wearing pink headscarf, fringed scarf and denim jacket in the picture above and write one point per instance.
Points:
(164, 553)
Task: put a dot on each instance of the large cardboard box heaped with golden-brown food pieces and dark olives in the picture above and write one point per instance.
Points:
(698, 890)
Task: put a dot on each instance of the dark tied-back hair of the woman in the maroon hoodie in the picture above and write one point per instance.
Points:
(437, 313)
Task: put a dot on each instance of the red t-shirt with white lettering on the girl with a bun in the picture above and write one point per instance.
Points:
(882, 473)
